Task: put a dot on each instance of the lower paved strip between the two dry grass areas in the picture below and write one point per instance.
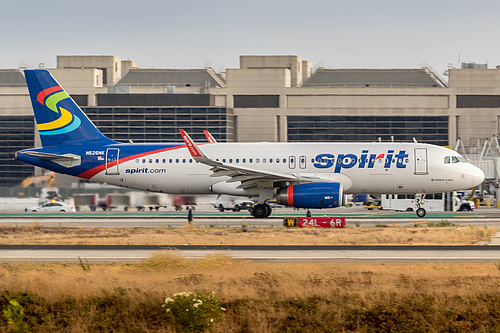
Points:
(276, 254)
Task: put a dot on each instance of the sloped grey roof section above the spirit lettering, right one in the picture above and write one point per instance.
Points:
(419, 77)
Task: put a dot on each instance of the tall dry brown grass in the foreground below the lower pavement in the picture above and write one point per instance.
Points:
(263, 297)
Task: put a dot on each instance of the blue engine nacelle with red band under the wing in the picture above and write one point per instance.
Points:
(311, 195)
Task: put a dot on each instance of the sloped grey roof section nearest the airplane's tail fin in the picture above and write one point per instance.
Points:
(205, 77)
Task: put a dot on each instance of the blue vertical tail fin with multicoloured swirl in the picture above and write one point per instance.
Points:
(59, 119)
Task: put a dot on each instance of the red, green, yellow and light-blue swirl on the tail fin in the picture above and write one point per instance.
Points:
(66, 122)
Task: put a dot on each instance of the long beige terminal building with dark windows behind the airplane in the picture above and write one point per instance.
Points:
(268, 98)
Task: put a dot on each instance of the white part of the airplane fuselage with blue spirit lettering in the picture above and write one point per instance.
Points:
(360, 167)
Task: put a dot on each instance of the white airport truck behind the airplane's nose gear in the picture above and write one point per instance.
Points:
(448, 201)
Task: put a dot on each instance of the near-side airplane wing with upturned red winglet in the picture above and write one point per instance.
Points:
(249, 177)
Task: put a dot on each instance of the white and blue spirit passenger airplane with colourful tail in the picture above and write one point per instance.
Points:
(302, 175)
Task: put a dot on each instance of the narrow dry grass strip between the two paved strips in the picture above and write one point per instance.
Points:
(421, 235)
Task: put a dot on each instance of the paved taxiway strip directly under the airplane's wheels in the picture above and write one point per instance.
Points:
(204, 219)
